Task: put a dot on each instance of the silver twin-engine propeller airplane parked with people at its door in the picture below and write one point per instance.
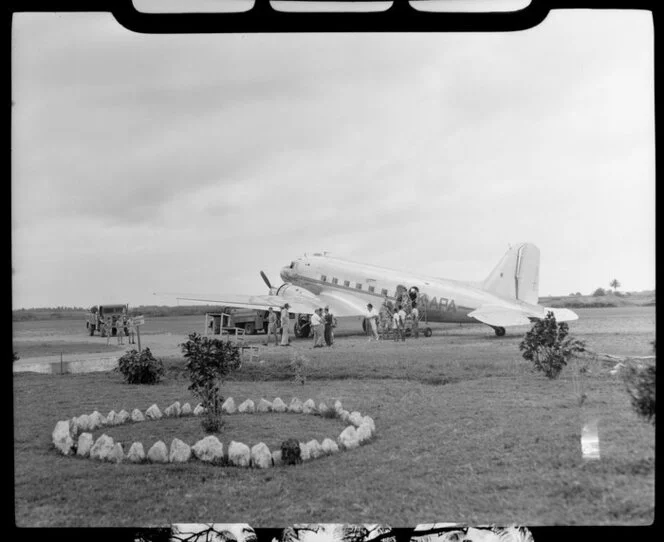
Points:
(508, 296)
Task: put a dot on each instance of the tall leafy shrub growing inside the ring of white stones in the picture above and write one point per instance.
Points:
(209, 360)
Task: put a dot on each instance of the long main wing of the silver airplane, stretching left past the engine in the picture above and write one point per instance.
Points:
(300, 301)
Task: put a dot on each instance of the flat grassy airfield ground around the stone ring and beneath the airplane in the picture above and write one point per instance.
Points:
(466, 432)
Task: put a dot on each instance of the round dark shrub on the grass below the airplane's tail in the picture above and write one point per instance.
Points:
(548, 346)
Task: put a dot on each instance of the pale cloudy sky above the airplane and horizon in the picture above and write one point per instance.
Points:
(188, 163)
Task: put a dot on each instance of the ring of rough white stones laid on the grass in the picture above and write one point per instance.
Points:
(74, 437)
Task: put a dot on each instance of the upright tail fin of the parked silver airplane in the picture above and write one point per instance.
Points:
(517, 274)
